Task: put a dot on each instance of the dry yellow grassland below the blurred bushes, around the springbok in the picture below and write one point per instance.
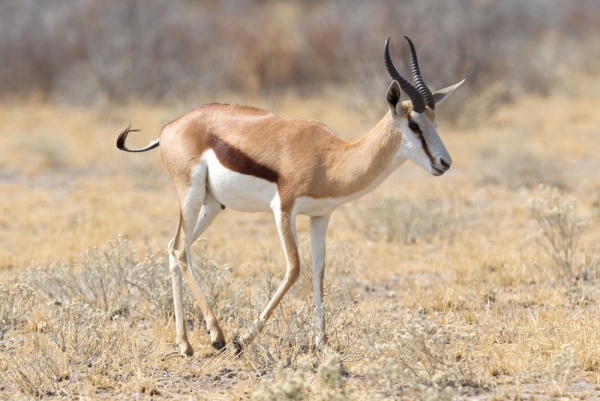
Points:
(436, 288)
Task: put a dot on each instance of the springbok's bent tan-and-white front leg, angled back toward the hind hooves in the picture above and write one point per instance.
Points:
(286, 225)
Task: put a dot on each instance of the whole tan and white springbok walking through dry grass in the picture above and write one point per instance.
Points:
(251, 160)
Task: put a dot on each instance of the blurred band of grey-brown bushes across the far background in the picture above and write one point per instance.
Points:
(78, 52)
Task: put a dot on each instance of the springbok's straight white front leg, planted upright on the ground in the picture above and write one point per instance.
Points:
(318, 229)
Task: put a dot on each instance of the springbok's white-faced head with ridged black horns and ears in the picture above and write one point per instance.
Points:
(415, 119)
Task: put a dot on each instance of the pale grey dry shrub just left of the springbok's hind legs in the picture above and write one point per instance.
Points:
(109, 278)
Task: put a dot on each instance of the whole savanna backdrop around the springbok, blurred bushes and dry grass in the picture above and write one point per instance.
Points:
(482, 283)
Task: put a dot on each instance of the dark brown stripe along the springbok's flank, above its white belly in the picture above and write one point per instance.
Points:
(236, 160)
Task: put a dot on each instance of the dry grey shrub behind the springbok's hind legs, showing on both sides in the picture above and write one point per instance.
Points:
(111, 278)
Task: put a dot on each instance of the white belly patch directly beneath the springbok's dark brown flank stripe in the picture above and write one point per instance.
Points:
(244, 193)
